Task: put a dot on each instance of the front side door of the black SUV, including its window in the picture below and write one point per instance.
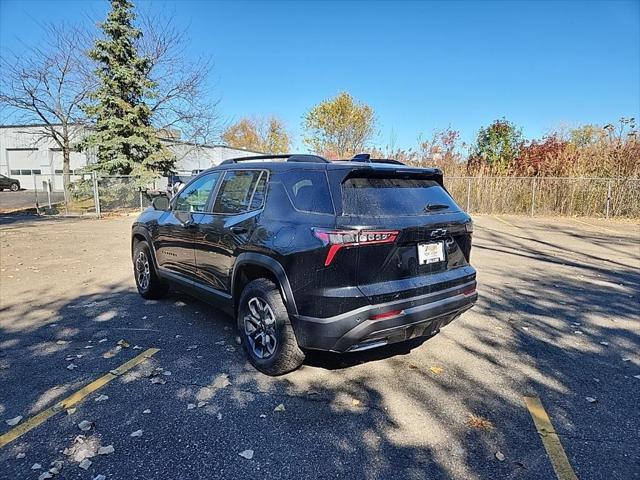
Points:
(176, 228)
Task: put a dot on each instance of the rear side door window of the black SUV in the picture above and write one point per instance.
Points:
(238, 192)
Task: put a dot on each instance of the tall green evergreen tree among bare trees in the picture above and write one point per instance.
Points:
(124, 140)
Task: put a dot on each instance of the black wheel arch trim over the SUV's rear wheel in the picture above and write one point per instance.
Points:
(249, 266)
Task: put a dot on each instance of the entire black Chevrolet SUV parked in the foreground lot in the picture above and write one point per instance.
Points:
(311, 254)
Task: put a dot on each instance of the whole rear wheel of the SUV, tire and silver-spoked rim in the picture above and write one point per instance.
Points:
(265, 330)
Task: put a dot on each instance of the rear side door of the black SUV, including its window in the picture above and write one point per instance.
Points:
(221, 233)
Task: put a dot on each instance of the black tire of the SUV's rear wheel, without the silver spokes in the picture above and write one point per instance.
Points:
(286, 355)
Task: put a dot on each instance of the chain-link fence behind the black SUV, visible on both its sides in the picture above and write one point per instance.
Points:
(594, 197)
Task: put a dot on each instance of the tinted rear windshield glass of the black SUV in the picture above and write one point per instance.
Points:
(394, 196)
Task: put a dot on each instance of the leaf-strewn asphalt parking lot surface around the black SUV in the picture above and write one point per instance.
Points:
(557, 320)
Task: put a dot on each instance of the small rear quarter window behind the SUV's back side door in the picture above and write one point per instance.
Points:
(308, 191)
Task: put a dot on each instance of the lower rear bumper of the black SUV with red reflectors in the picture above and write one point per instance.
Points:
(353, 331)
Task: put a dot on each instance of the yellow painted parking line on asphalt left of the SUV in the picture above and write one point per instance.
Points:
(73, 399)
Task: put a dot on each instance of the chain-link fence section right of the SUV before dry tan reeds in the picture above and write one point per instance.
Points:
(592, 197)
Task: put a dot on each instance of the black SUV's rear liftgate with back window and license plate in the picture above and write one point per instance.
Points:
(431, 243)
